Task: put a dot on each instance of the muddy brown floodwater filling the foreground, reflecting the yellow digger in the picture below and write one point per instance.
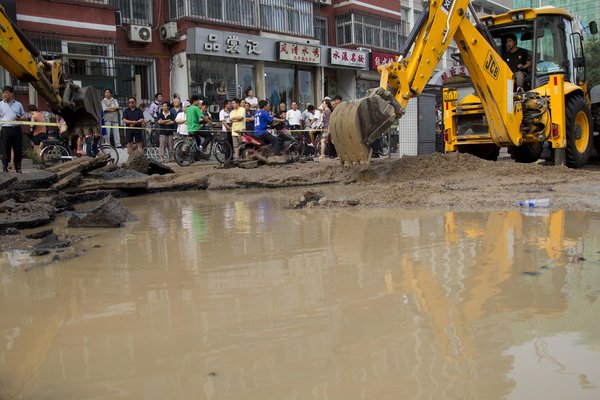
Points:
(227, 295)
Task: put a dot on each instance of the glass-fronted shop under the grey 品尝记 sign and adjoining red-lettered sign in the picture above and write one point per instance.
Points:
(223, 65)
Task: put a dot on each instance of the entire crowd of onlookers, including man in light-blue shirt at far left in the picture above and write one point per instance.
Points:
(163, 120)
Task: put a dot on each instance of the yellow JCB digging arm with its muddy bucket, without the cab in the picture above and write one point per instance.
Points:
(354, 125)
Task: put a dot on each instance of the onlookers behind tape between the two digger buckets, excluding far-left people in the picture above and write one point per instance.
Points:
(163, 121)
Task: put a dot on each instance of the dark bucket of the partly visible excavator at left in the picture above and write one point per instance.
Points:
(80, 108)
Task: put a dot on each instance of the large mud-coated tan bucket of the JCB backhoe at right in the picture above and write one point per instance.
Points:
(355, 124)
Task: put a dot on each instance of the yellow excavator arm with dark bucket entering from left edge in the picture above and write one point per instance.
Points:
(79, 107)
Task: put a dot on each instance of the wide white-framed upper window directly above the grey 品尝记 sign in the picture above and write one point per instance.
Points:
(239, 12)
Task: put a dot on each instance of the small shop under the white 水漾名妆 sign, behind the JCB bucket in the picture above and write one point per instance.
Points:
(341, 71)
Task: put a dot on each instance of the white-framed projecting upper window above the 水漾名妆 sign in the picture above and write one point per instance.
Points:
(363, 30)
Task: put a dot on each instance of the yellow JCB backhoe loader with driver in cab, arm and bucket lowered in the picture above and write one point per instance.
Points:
(552, 106)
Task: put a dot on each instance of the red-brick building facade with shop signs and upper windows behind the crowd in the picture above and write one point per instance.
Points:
(283, 50)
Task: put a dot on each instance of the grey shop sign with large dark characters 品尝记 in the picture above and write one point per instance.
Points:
(230, 44)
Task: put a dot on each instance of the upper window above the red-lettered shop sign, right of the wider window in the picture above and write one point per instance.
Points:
(289, 16)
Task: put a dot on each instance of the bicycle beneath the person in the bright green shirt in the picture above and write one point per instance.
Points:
(187, 150)
